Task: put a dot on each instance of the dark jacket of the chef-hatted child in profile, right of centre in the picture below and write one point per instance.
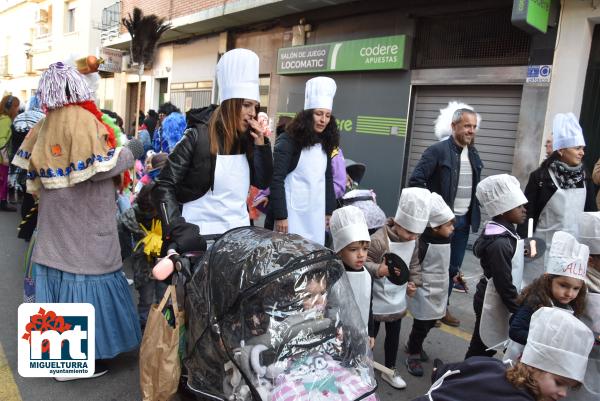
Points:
(495, 253)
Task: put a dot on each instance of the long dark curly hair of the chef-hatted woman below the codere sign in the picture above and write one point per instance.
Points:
(302, 131)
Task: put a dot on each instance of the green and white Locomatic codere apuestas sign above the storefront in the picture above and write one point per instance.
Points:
(384, 53)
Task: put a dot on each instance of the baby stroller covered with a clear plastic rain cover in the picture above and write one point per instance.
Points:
(272, 317)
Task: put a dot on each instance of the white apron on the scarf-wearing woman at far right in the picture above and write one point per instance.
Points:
(559, 214)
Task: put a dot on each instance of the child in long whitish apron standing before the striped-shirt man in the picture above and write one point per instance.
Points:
(430, 301)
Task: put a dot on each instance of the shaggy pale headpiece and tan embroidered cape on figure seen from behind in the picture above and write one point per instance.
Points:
(73, 142)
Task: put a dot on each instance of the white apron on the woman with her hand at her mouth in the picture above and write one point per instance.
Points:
(224, 207)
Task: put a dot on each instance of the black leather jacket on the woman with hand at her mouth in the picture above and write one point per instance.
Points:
(190, 168)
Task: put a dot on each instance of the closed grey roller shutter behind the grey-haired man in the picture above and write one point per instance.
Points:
(499, 109)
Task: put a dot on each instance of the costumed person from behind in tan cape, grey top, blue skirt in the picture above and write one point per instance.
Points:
(73, 161)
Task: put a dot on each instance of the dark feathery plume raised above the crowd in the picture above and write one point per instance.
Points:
(145, 30)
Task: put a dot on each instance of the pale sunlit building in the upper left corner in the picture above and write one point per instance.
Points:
(35, 34)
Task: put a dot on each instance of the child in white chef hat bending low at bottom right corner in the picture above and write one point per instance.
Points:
(554, 361)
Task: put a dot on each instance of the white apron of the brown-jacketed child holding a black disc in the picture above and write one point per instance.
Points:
(389, 298)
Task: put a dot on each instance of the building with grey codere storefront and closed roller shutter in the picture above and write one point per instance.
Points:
(396, 64)
